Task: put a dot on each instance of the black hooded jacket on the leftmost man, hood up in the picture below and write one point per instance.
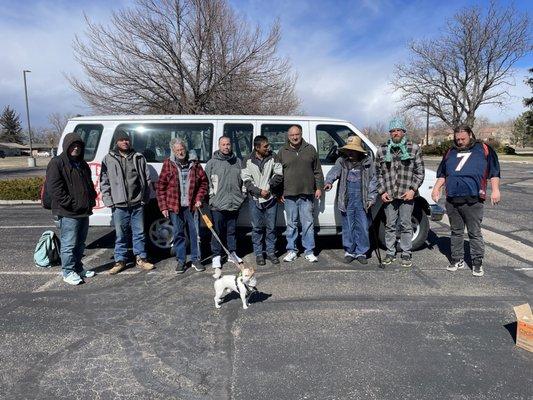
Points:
(69, 183)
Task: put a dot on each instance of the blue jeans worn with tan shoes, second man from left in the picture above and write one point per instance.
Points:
(129, 222)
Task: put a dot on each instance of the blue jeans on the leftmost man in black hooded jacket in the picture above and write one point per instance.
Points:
(73, 233)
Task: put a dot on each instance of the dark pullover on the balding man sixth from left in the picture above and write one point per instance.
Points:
(302, 172)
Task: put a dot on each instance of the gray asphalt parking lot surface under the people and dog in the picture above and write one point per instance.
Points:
(316, 331)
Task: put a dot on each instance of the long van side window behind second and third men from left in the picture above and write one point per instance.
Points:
(153, 139)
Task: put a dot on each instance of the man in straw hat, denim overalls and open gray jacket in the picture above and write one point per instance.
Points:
(356, 193)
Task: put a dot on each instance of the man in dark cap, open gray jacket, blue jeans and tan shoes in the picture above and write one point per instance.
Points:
(125, 187)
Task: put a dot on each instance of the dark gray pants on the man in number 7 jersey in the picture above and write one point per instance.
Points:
(470, 215)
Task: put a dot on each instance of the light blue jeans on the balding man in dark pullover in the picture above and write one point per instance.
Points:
(300, 208)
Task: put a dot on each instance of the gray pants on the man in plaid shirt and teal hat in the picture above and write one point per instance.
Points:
(403, 209)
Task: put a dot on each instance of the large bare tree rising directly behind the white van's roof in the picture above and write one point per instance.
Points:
(185, 57)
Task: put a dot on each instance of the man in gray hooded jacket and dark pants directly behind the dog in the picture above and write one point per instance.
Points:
(225, 198)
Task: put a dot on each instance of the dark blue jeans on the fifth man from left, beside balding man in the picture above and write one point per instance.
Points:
(264, 219)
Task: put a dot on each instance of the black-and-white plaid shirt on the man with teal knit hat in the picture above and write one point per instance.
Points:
(398, 176)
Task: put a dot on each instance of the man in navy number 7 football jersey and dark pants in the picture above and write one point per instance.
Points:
(464, 171)
